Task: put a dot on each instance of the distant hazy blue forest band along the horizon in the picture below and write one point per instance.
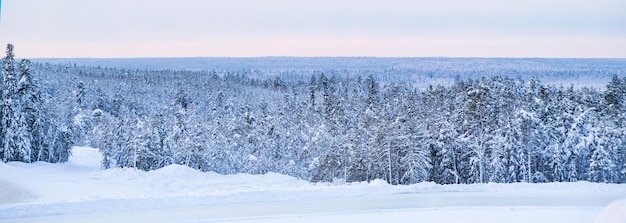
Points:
(418, 72)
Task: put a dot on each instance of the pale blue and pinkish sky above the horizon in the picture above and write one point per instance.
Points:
(251, 28)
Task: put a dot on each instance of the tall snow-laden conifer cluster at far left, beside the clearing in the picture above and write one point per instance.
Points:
(29, 131)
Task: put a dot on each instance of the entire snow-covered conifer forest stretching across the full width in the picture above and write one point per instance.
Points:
(319, 125)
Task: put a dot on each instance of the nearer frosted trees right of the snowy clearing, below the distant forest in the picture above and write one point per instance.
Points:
(492, 129)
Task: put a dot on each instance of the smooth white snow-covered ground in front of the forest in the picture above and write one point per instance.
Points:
(79, 191)
